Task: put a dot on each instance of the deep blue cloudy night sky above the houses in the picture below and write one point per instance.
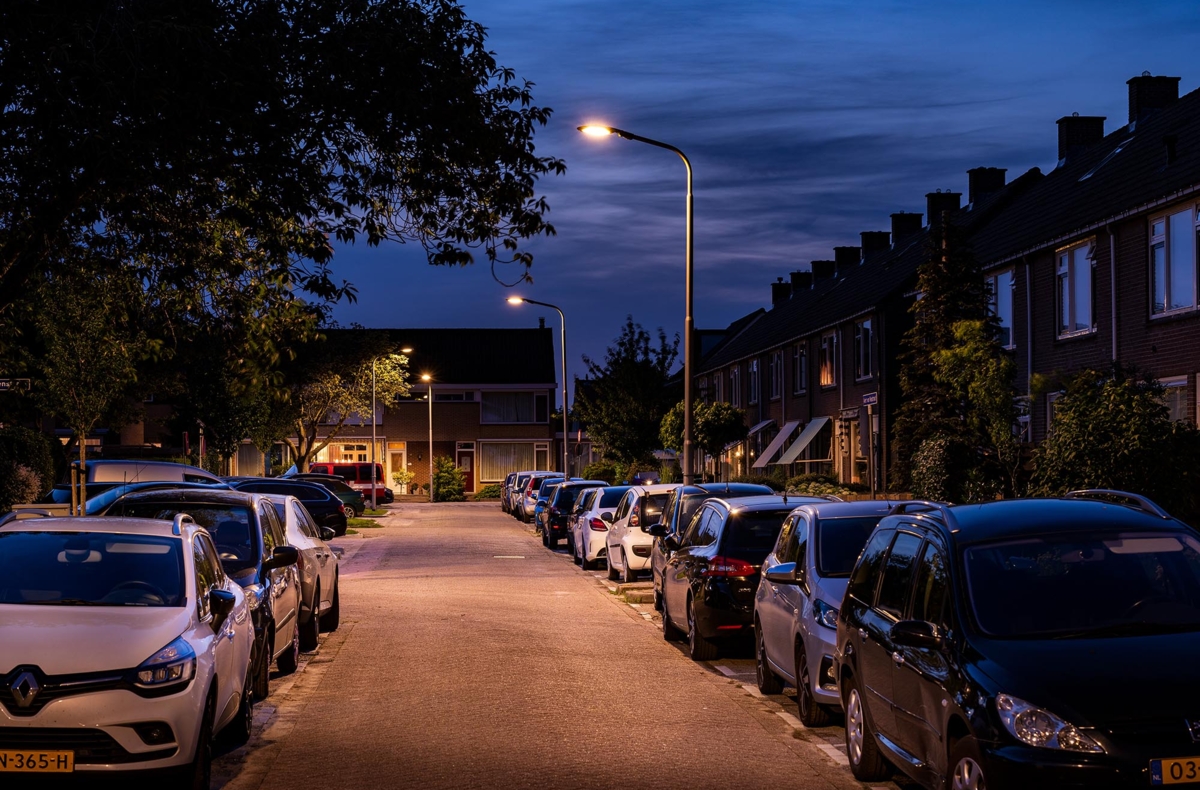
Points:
(806, 123)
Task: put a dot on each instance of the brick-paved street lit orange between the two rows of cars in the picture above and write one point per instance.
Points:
(471, 657)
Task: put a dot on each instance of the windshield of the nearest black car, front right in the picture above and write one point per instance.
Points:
(1087, 586)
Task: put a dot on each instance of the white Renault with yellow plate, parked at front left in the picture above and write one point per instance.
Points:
(123, 648)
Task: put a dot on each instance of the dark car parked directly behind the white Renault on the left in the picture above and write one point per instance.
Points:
(253, 549)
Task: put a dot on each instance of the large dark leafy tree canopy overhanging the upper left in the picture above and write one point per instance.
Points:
(205, 140)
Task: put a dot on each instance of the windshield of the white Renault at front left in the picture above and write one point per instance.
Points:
(91, 570)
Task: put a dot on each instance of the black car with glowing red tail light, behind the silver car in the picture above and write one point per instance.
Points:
(711, 579)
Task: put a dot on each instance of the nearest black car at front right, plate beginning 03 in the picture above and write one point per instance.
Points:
(1025, 644)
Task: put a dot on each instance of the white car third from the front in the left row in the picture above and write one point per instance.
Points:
(320, 602)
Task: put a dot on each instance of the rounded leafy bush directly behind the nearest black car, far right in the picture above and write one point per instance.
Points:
(1112, 430)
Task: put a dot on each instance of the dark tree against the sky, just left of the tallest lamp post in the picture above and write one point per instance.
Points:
(627, 397)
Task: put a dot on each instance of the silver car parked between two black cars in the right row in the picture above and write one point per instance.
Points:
(796, 607)
